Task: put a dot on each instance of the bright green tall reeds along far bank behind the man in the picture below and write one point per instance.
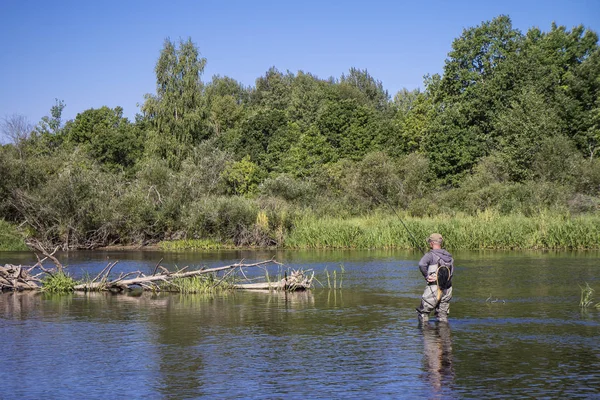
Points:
(486, 230)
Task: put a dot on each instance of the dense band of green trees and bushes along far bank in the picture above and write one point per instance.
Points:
(511, 125)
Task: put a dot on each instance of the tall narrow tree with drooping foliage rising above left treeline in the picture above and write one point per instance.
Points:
(176, 111)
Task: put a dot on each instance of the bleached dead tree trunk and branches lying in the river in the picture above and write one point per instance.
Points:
(20, 278)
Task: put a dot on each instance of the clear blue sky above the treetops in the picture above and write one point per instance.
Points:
(95, 53)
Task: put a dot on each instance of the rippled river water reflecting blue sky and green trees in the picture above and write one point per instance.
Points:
(516, 330)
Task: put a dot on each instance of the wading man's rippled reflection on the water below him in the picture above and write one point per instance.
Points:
(437, 356)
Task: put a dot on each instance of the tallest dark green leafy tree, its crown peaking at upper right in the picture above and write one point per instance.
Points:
(474, 87)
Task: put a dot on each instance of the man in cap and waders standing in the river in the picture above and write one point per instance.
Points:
(437, 266)
